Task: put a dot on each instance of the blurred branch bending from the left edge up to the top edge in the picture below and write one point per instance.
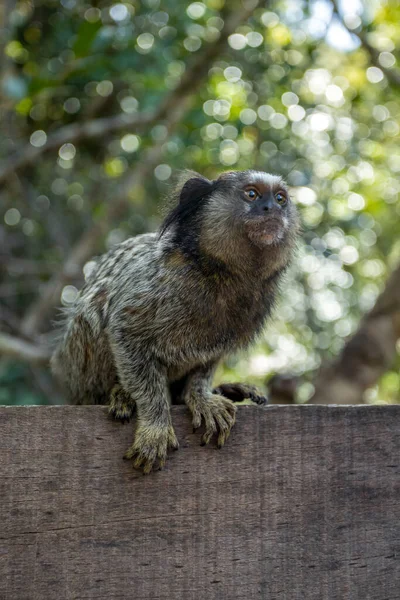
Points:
(96, 128)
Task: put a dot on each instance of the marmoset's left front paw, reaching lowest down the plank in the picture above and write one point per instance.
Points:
(151, 445)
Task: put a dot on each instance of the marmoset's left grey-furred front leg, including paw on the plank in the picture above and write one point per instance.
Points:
(145, 382)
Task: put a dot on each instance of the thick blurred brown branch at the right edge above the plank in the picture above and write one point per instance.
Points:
(367, 355)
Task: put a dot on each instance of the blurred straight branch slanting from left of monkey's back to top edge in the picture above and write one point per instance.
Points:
(172, 110)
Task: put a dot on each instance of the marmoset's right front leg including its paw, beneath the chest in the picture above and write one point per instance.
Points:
(217, 412)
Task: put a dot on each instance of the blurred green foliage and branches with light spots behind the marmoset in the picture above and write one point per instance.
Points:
(102, 103)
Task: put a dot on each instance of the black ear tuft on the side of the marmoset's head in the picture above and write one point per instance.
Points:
(192, 198)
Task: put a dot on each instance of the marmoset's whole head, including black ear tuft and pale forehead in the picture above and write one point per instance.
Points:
(241, 211)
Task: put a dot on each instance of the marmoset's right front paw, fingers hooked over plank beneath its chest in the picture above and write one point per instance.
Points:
(218, 414)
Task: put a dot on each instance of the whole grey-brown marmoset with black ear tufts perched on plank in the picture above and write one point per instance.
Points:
(160, 310)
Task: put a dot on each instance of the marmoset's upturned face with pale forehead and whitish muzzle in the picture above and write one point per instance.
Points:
(262, 206)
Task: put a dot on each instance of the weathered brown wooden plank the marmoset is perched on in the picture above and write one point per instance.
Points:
(302, 503)
